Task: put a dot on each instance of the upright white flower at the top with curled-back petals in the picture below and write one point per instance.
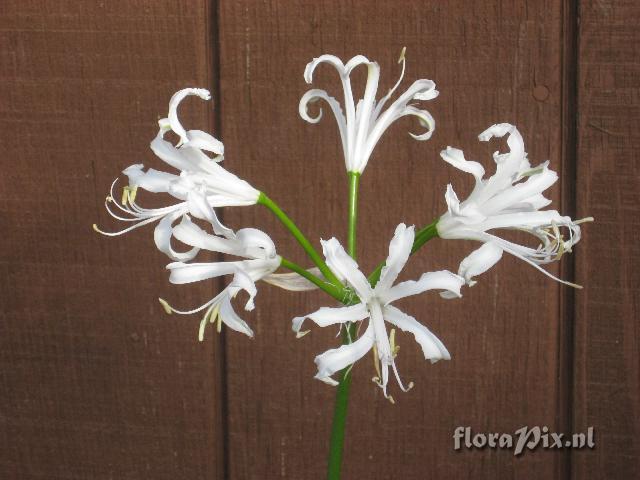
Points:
(365, 122)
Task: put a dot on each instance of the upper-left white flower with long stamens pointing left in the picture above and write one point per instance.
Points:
(200, 185)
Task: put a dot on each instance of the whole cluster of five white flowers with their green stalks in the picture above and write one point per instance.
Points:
(512, 198)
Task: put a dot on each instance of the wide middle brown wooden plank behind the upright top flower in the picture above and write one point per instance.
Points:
(493, 62)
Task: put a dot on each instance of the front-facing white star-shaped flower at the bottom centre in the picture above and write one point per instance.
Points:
(376, 306)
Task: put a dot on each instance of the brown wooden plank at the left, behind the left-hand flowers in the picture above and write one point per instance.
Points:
(96, 382)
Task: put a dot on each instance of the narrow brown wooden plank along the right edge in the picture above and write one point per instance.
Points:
(607, 376)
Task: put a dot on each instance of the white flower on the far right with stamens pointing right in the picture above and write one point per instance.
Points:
(510, 199)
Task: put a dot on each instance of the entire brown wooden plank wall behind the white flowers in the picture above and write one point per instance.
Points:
(96, 382)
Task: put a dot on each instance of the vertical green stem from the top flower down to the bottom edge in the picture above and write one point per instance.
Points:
(336, 445)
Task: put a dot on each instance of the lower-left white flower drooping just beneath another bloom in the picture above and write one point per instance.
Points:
(259, 260)
